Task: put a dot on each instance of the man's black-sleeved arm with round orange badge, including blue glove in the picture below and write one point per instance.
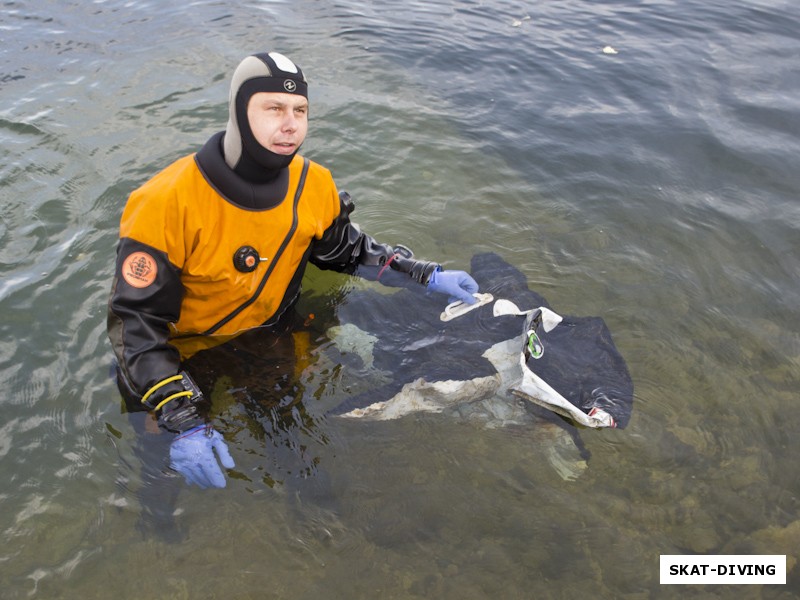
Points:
(145, 297)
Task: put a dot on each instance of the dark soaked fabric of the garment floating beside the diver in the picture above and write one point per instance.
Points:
(580, 360)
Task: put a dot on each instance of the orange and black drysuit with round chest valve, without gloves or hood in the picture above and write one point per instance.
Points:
(205, 255)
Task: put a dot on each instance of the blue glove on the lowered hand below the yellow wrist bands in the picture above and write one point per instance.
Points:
(192, 455)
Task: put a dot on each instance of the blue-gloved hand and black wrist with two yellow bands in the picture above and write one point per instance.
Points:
(177, 402)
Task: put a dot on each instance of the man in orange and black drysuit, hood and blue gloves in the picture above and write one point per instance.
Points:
(217, 243)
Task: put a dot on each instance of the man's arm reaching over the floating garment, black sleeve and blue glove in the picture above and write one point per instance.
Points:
(344, 247)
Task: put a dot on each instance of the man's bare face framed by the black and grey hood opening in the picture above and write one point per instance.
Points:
(278, 121)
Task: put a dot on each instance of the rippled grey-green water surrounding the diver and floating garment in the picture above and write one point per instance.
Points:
(656, 187)
